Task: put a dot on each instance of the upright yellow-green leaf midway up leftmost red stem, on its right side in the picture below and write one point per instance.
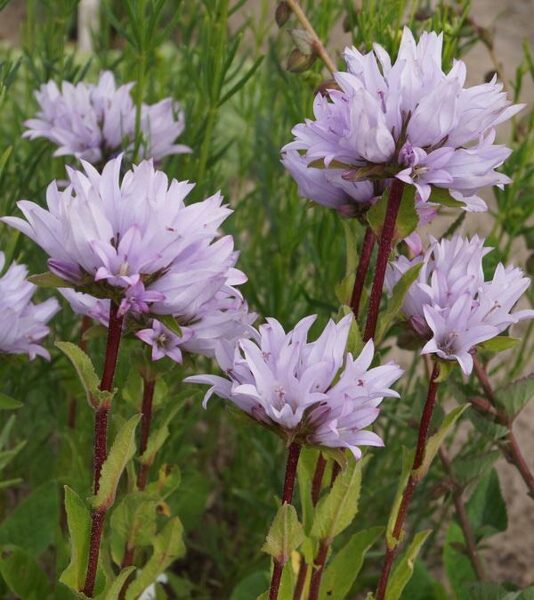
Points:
(120, 454)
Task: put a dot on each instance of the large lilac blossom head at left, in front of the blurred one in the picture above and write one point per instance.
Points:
(134, 241)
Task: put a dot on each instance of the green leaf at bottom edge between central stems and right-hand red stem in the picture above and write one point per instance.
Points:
(343, 569)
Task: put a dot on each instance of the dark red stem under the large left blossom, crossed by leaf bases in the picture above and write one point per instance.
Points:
(100, 443)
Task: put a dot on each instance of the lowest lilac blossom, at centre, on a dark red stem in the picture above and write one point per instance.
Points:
(307, 391)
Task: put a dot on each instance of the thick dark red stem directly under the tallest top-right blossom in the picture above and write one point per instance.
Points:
(384, 250)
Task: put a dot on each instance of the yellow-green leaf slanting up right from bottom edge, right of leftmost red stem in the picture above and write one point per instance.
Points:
(168, 546)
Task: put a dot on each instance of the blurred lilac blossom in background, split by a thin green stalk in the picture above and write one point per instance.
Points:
(94, 121)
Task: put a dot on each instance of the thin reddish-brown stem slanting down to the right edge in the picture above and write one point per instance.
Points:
(509, 447)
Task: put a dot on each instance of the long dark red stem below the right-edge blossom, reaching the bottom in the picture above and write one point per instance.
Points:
(424, 427)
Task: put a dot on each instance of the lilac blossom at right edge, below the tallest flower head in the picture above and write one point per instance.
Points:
(451, 305)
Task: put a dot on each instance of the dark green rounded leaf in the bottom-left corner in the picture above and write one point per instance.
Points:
(22, 575)
